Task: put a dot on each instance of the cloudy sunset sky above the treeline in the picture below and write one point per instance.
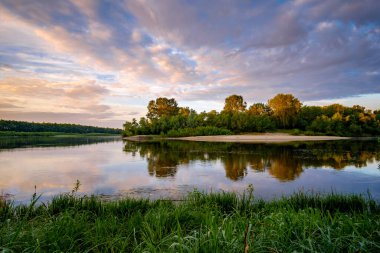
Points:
(100, 62)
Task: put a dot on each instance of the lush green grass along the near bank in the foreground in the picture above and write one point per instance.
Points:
(219, 222)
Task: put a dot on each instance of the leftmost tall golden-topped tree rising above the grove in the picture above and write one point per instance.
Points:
(162, 107)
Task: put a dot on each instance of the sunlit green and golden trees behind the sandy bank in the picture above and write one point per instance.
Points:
(283, 112)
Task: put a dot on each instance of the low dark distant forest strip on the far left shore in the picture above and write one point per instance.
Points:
(22, 126)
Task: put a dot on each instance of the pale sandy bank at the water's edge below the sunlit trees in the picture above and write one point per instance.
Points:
(263, 138)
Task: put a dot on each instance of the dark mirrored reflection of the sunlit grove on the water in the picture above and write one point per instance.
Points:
(285, 162)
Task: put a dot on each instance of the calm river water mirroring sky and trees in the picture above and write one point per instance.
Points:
(113, 168)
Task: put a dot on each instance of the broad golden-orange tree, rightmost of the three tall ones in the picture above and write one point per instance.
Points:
(285, 108)
